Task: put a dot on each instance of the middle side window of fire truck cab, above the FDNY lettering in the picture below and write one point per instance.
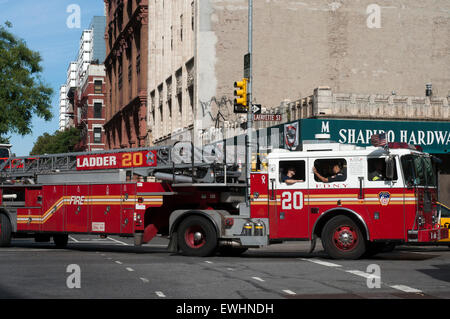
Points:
(330, 170)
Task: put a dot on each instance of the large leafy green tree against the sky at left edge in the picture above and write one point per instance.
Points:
(22, 92)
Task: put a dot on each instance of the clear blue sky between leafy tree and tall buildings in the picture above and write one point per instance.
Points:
(44, 26)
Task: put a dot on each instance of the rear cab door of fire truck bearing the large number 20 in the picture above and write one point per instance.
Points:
(288, 209)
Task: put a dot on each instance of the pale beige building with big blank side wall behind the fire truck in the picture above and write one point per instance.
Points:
(355, 47)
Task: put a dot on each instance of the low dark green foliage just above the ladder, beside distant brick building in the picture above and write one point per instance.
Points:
(59, 142)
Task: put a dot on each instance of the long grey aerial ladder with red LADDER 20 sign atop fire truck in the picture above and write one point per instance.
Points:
(181, 163)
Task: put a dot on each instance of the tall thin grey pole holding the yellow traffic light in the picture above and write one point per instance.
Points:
(249, 100)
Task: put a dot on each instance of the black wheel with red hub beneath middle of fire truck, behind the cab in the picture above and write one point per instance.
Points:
(202, 245)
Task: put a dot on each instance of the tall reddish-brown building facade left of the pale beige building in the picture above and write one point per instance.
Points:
(126, 39)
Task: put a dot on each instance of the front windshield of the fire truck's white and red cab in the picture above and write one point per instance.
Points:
(418, 170)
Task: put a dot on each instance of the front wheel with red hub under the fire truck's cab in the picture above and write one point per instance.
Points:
(343, 239)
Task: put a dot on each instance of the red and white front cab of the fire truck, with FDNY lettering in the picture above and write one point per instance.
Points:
(355, 199)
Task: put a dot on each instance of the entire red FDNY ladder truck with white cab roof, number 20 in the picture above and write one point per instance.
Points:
(364, 199)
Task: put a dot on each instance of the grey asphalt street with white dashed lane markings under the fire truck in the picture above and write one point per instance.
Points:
(108, 268)
